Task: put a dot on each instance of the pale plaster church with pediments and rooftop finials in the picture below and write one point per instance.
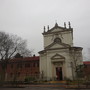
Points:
(59, 59)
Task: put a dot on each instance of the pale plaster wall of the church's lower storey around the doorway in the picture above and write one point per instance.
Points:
(49, 67)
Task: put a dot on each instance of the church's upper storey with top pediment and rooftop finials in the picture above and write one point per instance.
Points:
(65, 35)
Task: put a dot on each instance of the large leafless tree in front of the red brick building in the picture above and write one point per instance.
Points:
(9, 46)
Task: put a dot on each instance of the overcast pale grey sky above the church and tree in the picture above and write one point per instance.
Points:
(26, 19)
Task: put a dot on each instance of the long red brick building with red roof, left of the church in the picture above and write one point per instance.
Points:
(20, 68)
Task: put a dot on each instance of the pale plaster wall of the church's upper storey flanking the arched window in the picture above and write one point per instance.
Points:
(66, 37)
